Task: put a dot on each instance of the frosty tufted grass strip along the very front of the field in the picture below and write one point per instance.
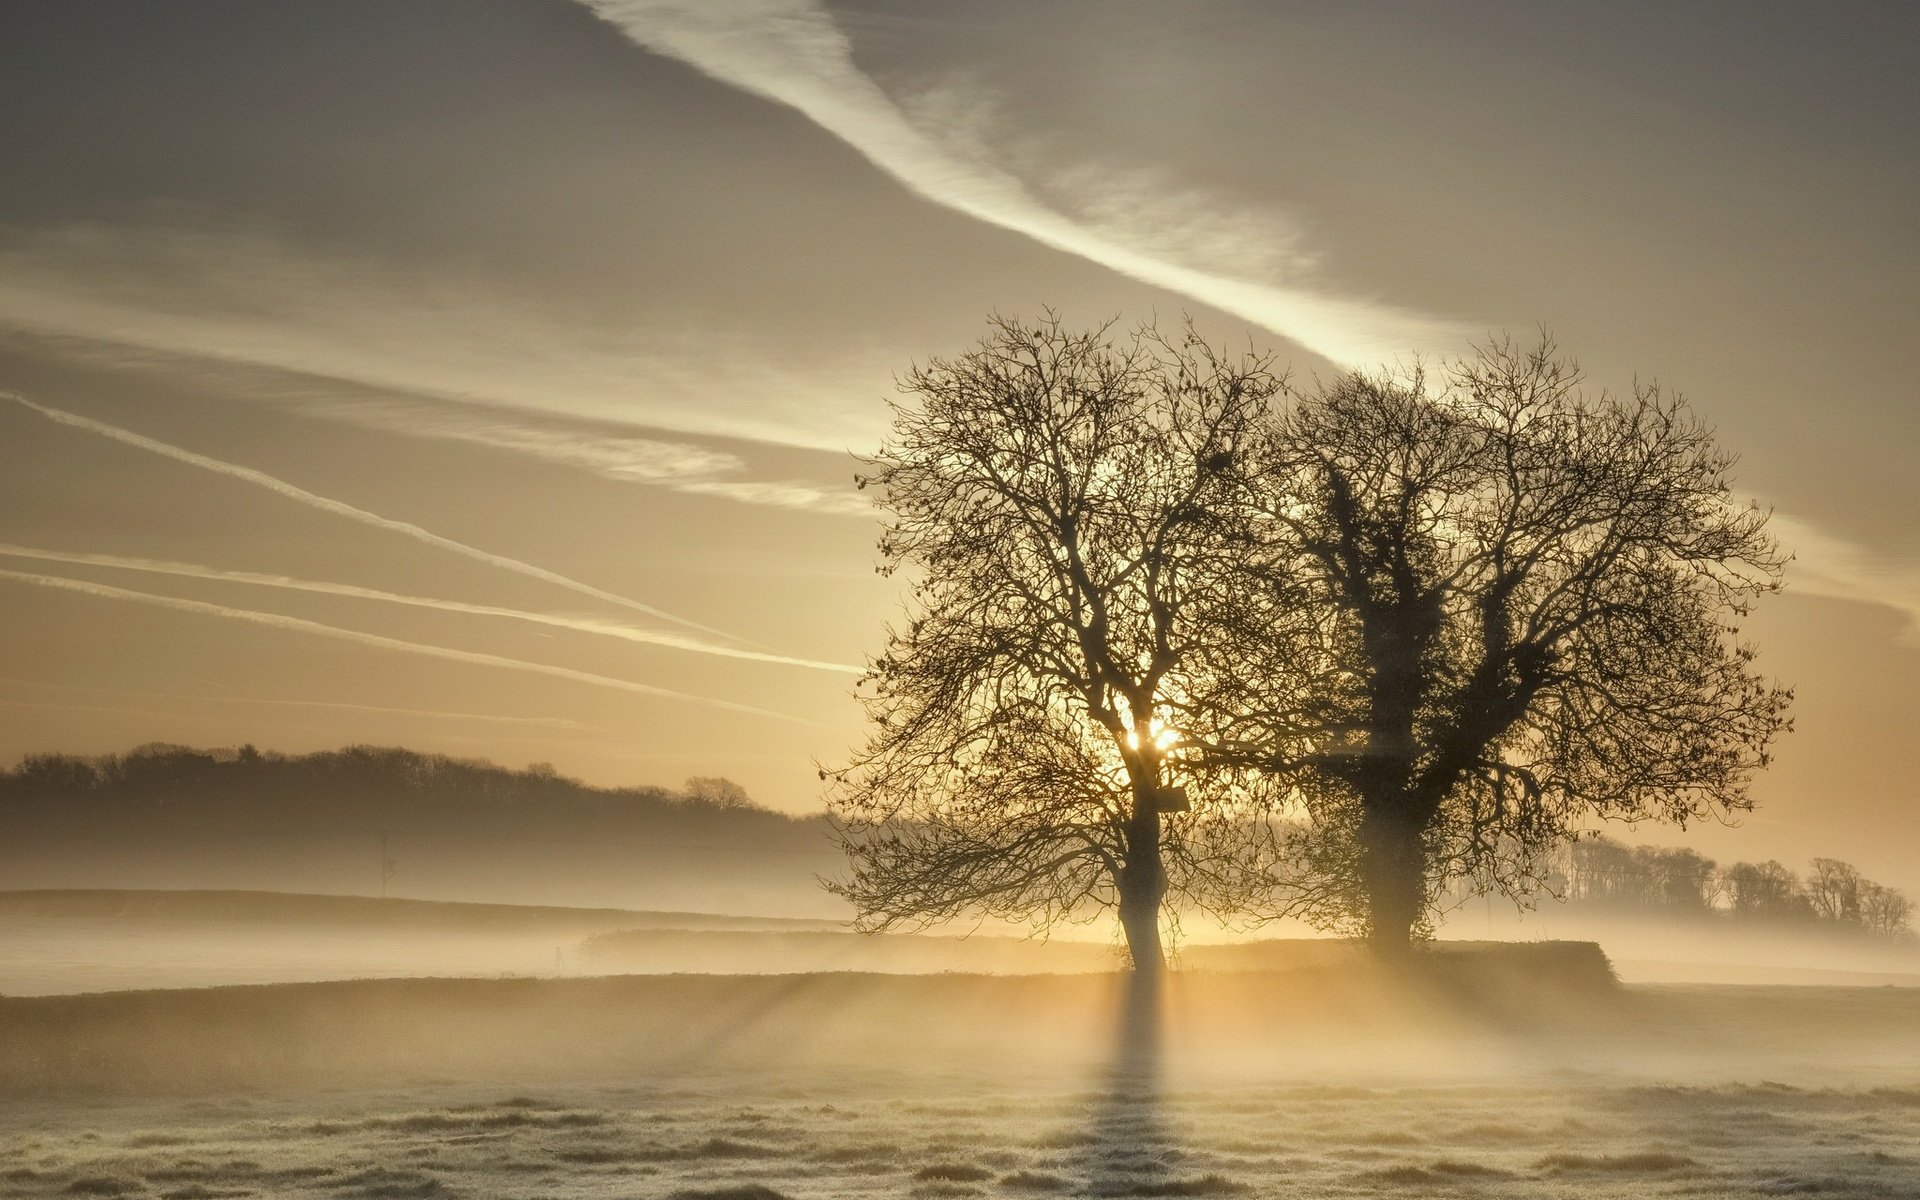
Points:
(880, 1134)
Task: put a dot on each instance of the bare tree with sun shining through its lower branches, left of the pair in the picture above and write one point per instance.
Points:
(1074, 519)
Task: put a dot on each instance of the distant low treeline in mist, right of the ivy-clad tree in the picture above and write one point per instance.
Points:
(1681, 882)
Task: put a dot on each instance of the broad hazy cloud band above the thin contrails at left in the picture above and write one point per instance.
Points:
(251, 297)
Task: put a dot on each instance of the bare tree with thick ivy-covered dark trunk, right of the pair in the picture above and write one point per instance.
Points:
(1527, 610)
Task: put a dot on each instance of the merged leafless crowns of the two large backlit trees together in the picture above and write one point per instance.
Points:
(1168, 610)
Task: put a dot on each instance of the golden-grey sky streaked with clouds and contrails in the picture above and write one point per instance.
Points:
(485, 375)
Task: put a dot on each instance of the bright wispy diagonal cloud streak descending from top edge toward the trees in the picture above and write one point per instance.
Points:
(792, 53)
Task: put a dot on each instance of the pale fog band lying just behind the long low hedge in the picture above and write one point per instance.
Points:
(112, 940)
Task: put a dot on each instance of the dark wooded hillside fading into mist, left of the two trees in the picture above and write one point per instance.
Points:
(385, 819)
